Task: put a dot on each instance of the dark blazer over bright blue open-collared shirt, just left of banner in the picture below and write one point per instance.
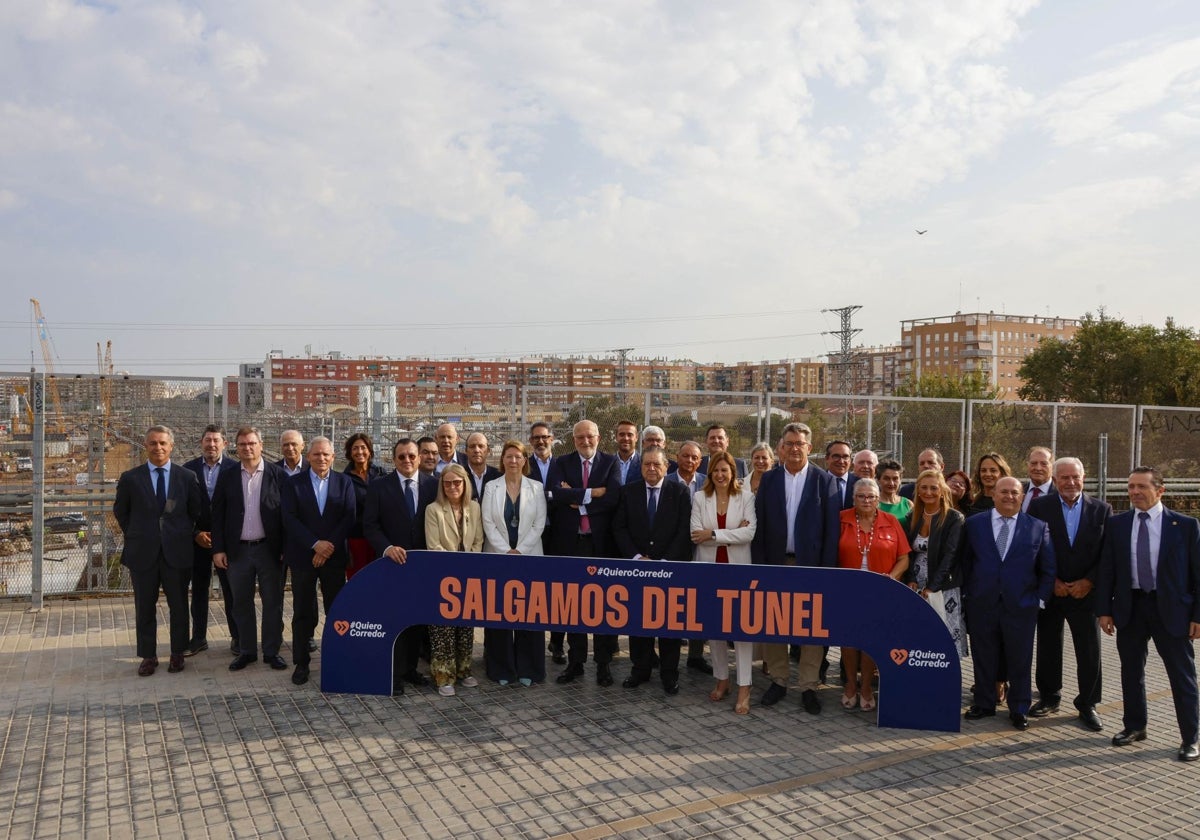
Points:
(304, 524)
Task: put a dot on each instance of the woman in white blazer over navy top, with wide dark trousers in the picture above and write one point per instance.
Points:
(514, 514)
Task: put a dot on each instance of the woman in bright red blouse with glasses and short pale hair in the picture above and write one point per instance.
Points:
(872, 541)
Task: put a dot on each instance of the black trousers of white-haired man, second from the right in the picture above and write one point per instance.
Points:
(1079, 615)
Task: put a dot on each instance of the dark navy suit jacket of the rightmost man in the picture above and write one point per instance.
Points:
(1178, 583)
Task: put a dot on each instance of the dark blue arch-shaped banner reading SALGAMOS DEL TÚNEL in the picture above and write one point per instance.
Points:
(919, 665)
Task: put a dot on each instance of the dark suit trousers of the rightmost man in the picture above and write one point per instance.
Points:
(1179, 659)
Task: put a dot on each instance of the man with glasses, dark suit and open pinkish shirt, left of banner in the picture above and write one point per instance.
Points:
(248, 539)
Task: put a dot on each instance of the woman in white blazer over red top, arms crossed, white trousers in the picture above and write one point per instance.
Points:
(723, 524)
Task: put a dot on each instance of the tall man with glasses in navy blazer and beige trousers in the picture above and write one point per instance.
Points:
(799, 525)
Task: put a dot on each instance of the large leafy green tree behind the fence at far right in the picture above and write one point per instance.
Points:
(1111, 362)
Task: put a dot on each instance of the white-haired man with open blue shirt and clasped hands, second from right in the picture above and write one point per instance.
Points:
(1077, 531)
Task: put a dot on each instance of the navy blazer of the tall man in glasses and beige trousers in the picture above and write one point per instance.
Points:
(818, 521)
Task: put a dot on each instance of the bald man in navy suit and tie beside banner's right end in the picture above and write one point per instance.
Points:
(1009, 571)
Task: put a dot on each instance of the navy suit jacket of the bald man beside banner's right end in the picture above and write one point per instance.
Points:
(1016, 585)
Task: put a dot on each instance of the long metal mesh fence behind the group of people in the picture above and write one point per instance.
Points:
(58, 536)
